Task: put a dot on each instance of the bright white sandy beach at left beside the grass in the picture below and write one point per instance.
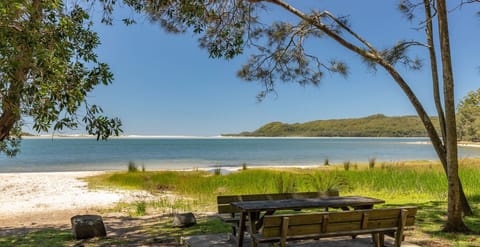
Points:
(35, 199)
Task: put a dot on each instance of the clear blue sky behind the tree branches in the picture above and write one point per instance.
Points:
(166, 85)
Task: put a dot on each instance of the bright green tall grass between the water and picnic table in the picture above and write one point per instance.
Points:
(422, 184)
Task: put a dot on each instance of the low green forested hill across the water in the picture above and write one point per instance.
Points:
(371, 126)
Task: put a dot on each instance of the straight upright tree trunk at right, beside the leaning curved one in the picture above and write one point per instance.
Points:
(455, 219)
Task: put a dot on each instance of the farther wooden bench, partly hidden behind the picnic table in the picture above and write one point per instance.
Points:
(231, 215)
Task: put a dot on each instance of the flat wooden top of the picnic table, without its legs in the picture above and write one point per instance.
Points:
(302, 203)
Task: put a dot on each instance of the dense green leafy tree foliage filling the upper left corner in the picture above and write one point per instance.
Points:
(47, 68)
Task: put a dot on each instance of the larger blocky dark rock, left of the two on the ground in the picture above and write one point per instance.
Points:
(88, 226)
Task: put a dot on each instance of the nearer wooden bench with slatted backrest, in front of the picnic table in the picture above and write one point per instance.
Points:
(283, 228)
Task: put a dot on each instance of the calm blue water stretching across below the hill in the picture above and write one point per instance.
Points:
(60, 154)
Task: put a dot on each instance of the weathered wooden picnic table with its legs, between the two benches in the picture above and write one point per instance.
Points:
(253, 209)
